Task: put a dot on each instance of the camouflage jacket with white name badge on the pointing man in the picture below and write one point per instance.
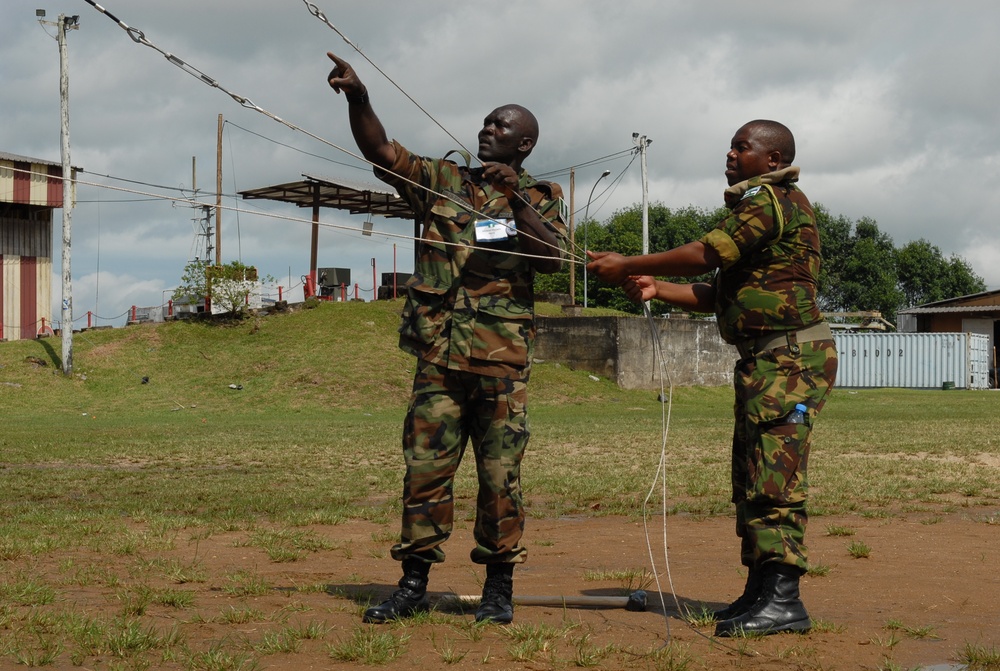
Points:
(469, 305)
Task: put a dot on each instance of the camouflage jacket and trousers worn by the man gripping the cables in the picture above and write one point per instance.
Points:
(769, 246)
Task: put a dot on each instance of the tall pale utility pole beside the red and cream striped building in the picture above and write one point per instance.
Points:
(63, 24)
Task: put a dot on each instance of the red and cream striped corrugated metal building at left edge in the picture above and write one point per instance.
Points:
(30, 189)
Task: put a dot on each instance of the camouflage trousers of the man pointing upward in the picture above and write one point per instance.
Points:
(448, 409)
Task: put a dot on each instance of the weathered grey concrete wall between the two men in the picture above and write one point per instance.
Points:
(620, 348)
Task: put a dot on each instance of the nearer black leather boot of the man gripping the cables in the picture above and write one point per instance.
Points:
(778, 608)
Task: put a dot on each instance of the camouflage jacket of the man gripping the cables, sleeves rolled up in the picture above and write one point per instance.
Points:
(769, 246)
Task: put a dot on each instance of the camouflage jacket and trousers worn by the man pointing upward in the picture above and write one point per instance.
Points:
(469, 320)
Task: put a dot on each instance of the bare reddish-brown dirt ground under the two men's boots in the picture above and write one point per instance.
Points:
(929, 588)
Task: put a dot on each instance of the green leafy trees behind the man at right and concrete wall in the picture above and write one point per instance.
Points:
(862, 268)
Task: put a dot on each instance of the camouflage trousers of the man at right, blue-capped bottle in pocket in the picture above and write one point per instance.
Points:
(770, 456)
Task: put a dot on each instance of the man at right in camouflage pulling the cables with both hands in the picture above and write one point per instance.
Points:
(764, 296)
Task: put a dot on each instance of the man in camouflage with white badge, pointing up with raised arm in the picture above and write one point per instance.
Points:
(469, 320)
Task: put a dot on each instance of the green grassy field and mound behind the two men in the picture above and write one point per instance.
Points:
(292, 420)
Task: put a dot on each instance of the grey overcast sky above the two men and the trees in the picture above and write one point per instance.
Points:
(894, 106)
